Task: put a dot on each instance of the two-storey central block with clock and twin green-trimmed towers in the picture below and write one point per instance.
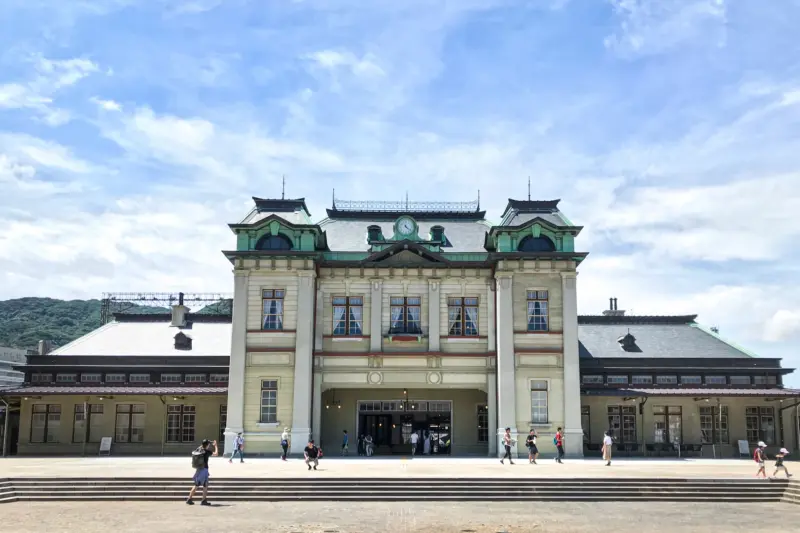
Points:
(393, 318)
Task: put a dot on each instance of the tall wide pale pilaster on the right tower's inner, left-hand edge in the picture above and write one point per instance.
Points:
(506, 368)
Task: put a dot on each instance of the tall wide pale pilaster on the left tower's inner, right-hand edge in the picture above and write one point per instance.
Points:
(303, 362)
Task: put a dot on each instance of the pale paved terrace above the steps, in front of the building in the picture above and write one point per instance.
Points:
(376, 467)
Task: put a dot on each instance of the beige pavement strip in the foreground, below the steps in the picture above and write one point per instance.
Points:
(339, 517)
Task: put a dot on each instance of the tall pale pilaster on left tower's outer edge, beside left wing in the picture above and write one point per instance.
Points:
(236, 383)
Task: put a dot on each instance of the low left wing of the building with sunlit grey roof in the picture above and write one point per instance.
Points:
(152, 384)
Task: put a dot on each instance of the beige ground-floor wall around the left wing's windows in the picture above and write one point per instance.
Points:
(207, 425)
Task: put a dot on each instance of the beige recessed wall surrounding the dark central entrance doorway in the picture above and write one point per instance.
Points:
(464, 418)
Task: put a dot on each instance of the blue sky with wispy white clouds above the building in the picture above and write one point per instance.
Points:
(132, 132)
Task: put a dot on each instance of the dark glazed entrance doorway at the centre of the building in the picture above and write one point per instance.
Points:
(391, 423)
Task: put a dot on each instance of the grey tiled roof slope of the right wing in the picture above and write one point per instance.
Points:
(666, 339)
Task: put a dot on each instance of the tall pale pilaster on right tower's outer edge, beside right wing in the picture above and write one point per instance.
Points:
(573, 441)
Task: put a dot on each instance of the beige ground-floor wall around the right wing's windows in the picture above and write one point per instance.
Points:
(690, 418)
